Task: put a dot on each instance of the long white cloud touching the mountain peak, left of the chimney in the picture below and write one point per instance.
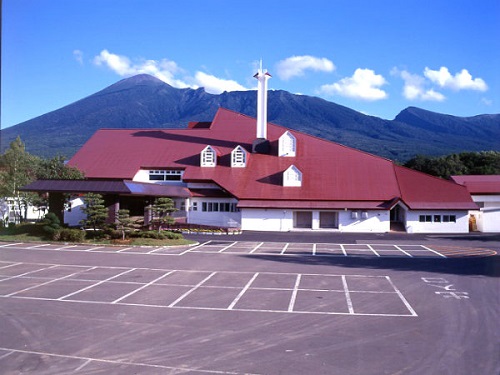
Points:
(123, 66)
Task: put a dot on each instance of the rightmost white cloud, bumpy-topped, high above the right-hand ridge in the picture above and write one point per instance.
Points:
(460, 81)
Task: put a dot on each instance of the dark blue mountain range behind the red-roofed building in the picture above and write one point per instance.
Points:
(143, 101)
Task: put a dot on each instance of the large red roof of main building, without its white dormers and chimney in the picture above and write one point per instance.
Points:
(330, 171)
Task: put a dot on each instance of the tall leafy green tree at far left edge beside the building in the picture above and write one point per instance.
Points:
(17, 169)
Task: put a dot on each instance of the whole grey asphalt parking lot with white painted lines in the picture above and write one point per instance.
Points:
(244, 305)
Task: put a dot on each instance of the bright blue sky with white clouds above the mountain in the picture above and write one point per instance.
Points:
(375, 56)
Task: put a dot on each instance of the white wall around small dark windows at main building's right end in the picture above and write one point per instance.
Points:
(413, 225)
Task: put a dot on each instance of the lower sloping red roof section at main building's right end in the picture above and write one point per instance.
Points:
(424, 192)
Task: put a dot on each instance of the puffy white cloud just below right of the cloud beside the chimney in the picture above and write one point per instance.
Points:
(364, 84)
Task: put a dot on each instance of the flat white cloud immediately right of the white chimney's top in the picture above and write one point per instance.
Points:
(296, 66)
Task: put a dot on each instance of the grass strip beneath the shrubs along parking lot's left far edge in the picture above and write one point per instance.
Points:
(34, 233)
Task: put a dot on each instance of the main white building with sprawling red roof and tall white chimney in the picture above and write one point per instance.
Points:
(241, 172)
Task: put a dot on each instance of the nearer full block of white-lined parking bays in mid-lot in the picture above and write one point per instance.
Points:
(237, 291)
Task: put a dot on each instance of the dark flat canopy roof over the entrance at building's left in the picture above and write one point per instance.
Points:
(122, 187)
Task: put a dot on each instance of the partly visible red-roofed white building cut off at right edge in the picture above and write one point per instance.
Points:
(485, 192)
